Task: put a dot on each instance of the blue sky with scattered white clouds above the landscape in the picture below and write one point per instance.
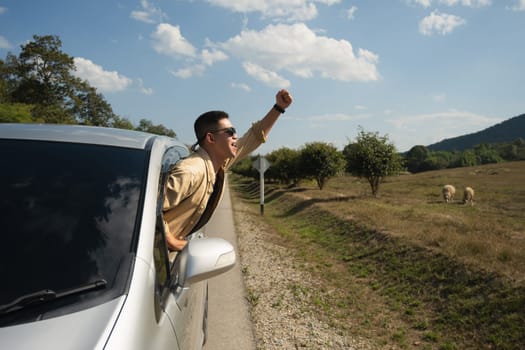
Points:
(418, 71)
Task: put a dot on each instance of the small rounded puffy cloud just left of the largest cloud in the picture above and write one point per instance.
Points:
(168, 40)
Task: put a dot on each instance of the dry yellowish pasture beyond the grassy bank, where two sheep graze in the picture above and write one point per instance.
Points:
(489, 235)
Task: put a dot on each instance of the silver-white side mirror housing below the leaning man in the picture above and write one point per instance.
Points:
(203, 258)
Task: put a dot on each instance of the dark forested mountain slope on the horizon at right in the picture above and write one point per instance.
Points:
(506, 131)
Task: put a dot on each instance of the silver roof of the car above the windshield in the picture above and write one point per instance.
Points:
(77, 133)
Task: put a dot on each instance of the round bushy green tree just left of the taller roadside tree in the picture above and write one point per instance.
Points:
(320, 161)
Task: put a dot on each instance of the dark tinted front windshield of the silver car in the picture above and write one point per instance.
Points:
(67, 214)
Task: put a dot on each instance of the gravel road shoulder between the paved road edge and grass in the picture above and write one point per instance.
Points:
(277, 290)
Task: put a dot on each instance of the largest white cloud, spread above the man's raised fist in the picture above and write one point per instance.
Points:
(300, 51)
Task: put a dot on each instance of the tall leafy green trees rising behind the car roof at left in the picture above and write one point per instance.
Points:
(41, 79)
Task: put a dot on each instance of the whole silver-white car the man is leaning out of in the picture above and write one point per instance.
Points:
(83, 256)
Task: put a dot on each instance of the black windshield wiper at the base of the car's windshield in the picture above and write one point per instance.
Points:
(46, 295)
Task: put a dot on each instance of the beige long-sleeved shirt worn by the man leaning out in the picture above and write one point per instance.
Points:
(190, 184)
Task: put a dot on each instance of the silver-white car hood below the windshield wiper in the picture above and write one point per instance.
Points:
(86, 329)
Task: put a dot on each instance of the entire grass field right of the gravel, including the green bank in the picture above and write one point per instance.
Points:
(407, 269)
